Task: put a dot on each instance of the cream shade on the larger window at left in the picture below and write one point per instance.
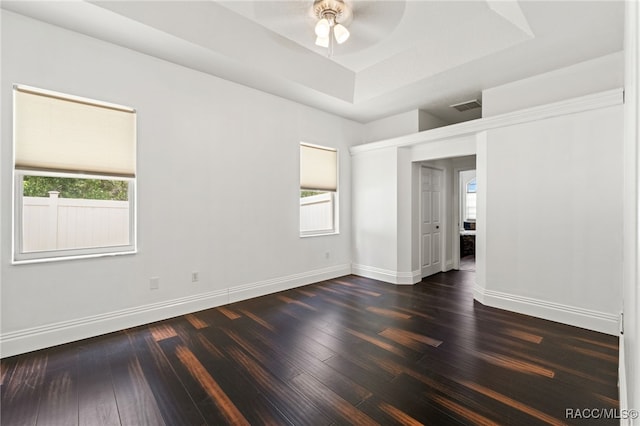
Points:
(60, 133)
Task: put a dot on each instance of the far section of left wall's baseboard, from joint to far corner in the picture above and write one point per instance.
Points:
(261, 288)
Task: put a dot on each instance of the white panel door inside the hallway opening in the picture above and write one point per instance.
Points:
(431, 220)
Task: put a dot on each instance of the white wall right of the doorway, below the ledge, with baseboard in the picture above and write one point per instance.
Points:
(554, 218)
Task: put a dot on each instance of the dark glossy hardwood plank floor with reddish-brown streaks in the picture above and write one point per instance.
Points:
(344, 351)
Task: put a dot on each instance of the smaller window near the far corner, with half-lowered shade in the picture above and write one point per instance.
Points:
(318, 189)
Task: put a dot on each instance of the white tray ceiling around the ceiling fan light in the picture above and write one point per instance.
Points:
(402, 54)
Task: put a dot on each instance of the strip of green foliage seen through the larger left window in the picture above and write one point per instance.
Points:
(93, 189)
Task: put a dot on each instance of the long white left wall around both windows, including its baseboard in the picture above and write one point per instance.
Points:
(202, 141)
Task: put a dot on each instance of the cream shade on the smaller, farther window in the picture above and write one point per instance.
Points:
(318, 168)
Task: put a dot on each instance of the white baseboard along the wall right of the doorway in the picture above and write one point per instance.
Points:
(580, 317)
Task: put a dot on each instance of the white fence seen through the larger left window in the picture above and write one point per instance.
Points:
(67, 223)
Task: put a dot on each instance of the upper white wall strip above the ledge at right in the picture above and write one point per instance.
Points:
(593, 76)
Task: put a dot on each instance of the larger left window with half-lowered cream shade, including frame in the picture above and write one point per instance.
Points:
(74, 171)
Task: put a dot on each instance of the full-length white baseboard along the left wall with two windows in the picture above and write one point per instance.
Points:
(31, 339)
